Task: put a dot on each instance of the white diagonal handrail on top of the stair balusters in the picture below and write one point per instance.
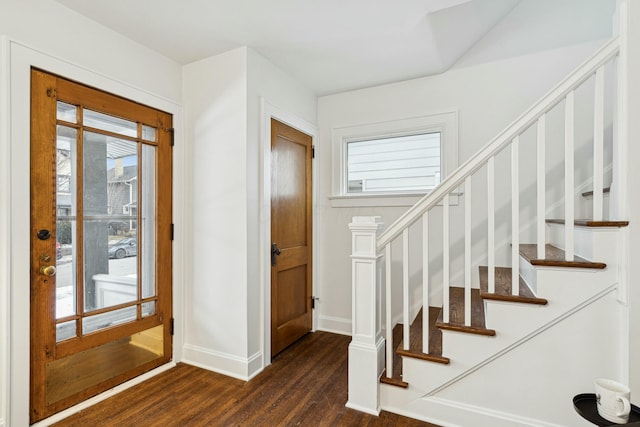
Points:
(503, 139)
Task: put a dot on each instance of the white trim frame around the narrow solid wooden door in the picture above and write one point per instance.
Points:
(267, 112)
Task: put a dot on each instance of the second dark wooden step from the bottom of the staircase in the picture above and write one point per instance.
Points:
(415, 339)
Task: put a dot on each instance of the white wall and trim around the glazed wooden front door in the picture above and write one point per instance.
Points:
(65, 43)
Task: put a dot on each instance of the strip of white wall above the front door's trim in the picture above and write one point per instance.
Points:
(61, 32)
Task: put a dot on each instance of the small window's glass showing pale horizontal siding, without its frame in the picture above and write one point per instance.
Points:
(394, 164)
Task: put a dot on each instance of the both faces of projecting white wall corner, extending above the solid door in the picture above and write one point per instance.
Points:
(224, 323)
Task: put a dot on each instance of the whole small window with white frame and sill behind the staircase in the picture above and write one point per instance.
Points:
(392, 162)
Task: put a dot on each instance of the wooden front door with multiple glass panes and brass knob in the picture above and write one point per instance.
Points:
(100, 238)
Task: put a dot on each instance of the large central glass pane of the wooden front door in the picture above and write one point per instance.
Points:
(110, 189)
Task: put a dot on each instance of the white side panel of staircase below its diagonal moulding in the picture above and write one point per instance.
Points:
(523, 384)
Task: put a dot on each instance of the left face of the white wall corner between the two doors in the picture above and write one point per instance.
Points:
(215, 104)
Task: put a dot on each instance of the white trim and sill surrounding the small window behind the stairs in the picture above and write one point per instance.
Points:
(445, 122)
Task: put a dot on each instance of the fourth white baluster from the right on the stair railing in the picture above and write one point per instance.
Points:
(515, 217)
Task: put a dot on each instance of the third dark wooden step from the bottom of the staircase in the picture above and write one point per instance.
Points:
(456, 313)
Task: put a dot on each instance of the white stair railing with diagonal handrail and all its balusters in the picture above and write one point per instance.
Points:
(441, 196)
